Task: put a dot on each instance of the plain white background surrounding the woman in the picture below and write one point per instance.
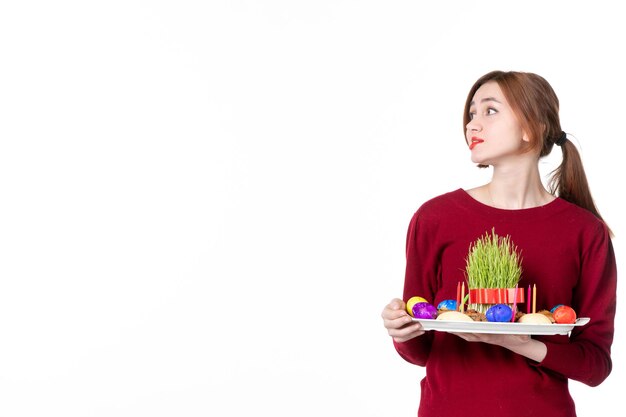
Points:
(203, 204)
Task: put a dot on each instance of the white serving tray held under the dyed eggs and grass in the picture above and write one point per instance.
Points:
(500, 328)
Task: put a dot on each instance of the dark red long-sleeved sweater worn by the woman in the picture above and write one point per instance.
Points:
(567, 253)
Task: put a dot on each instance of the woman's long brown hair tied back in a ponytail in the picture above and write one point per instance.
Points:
(536, 107)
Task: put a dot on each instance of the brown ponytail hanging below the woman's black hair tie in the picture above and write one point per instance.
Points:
(569, 181)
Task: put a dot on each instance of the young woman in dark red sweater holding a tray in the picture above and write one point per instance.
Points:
(511, 120)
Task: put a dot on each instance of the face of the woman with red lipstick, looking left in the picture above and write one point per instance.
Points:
(493, 133)
